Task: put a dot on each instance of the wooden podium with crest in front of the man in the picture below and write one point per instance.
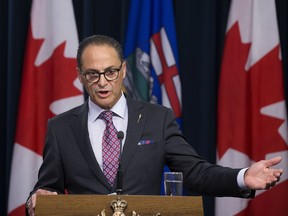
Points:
(135, 205)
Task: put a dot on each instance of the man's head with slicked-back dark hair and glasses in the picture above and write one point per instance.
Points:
(101, 69)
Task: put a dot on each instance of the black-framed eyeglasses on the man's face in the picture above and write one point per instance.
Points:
(110, 74)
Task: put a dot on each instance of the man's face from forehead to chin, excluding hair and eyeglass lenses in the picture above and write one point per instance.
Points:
(102, 57)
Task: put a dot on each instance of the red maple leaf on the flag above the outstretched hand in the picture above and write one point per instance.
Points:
(242, 94)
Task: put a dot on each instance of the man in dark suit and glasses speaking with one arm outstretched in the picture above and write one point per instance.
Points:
(75, 157)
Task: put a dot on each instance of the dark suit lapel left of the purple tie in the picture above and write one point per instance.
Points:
(79, 126)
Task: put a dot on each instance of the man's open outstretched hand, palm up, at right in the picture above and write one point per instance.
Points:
(261, 176)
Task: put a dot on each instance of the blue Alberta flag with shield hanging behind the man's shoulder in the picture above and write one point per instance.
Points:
(151, 52)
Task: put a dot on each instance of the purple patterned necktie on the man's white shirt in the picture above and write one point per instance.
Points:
(110, 148)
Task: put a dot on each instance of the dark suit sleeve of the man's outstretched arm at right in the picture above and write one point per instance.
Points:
(199, 176)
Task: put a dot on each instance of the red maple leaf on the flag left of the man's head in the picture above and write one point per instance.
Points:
(42, 85)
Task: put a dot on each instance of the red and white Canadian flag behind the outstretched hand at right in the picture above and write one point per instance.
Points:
(252, 120)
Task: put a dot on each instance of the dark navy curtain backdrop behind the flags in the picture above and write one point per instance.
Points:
(200, 30)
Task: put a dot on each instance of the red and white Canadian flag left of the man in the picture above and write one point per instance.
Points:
(49, 87)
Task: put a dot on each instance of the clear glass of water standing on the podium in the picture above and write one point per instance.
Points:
(173, 183)
